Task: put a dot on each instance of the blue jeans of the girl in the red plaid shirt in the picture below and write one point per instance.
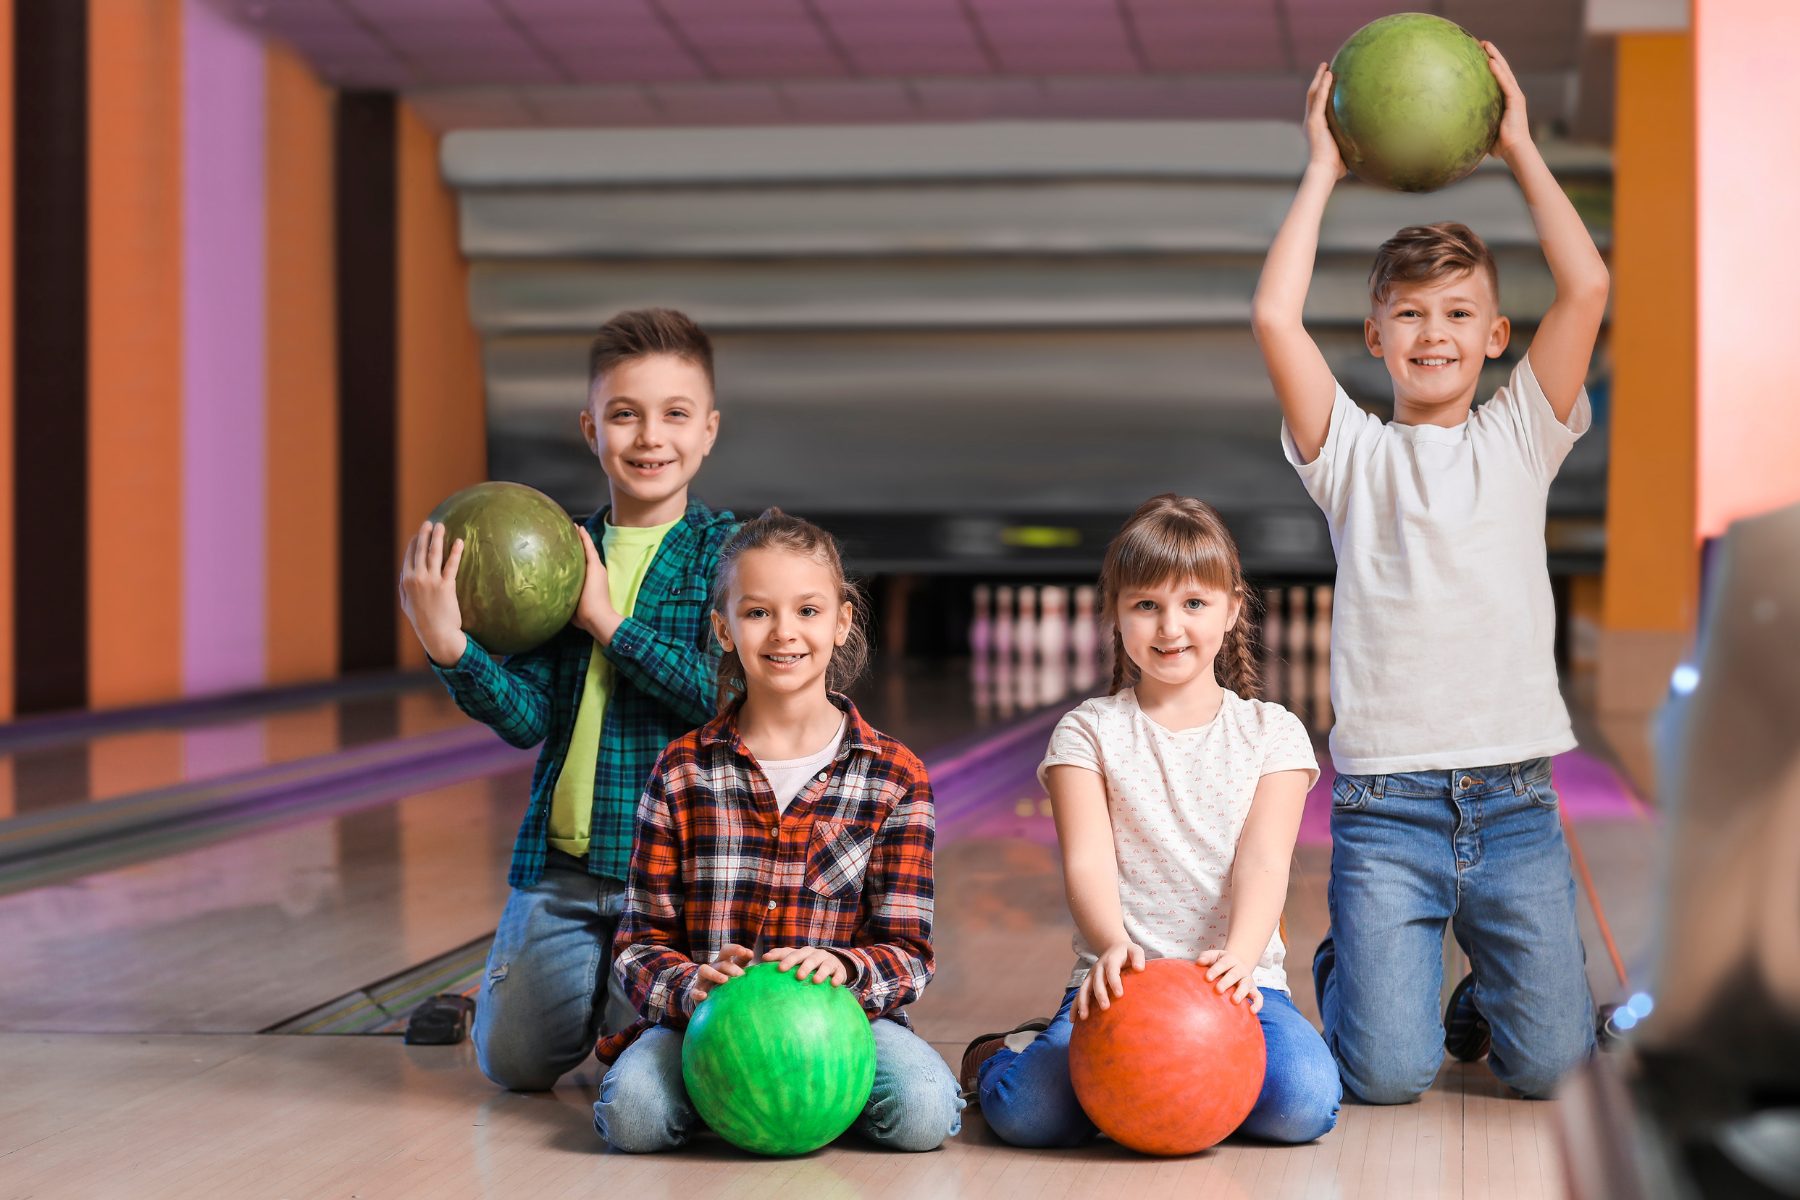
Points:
(913, 1106)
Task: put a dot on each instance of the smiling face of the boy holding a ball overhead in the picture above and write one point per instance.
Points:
(1434, 337)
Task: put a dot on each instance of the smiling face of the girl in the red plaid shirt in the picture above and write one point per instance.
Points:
(784, 618)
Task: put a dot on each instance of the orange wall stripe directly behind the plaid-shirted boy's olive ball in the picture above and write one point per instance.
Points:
(442, 407)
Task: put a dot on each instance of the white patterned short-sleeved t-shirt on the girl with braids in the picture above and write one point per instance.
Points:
(1178, 805)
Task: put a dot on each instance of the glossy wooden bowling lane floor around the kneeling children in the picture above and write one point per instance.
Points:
(129, 1070)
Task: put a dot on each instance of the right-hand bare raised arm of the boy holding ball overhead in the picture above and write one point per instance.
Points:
(1565, 339)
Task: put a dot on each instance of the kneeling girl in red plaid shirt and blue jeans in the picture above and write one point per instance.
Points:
(784, 830)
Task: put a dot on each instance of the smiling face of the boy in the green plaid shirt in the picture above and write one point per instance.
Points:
(652, 424)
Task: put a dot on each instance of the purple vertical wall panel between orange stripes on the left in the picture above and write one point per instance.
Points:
(224, 363)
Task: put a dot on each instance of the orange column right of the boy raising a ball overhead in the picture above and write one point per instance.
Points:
(1651, 553)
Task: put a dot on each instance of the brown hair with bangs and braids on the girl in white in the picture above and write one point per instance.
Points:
(1171, 541)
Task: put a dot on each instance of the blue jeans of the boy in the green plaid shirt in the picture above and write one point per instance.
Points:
(548, 990)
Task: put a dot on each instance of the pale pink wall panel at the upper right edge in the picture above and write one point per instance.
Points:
(1747, 98)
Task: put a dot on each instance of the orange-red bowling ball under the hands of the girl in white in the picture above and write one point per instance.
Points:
(1173, 1066)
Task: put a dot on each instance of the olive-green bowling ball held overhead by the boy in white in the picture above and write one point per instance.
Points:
(1414, 105)
